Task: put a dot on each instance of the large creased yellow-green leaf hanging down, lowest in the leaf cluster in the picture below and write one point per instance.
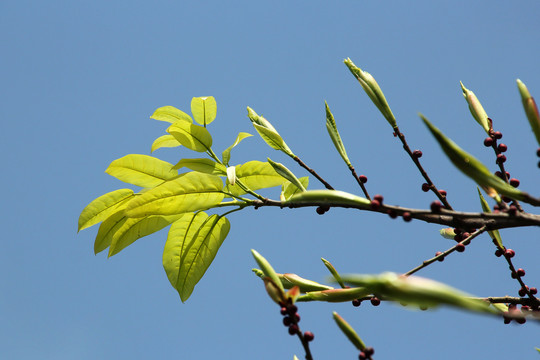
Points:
(191, 246)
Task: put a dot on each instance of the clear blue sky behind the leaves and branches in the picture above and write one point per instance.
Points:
(80, 80)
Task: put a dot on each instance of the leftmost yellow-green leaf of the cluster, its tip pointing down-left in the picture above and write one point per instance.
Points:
(102, 207)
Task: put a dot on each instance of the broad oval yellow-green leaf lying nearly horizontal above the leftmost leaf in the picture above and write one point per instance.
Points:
(141, 170)
